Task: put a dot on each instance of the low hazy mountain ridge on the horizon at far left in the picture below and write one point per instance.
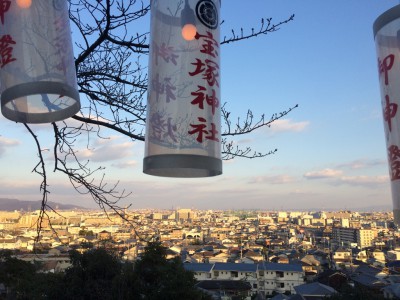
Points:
(14, 204)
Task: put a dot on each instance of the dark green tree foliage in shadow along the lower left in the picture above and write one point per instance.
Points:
(98, 274)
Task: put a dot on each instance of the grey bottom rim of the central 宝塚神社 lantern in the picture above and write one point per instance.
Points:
(182, 165)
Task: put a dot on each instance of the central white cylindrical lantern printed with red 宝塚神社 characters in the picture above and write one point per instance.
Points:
(183, 134)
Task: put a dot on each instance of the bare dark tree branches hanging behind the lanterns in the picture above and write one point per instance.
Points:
(111, 60)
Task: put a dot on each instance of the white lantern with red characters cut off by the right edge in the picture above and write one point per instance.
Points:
(387, 40)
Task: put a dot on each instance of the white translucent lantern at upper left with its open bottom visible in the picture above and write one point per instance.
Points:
(37, 69)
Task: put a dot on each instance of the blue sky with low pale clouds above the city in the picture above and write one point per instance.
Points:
(331, 149)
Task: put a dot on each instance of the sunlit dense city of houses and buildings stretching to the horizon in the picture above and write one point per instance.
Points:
(242, 254)
